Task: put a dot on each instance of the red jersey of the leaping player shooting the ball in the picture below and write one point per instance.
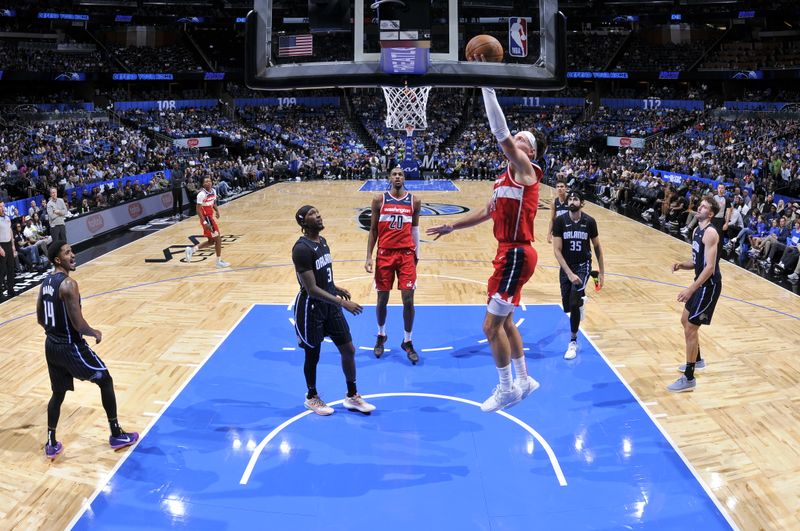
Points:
(515, 207)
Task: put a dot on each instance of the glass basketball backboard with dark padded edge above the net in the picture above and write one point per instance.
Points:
(403, 43)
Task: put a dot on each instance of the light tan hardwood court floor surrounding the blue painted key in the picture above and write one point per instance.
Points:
(740, 429)
